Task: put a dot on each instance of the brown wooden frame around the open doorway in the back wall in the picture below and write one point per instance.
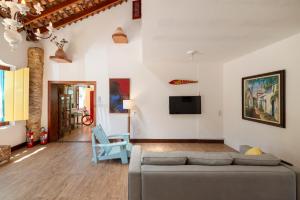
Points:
(50, 83)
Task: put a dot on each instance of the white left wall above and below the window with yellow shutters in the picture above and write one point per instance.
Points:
(13, 135)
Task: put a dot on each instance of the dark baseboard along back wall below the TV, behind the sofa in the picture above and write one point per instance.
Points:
(216, 141)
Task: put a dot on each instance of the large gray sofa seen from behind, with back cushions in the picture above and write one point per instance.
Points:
(163, 176)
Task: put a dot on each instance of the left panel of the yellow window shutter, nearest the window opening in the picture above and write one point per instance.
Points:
(9, 80)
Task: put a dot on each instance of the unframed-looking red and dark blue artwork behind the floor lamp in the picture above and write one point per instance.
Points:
(119, 90)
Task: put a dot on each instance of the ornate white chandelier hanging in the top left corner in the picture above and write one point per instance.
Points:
(14, 14)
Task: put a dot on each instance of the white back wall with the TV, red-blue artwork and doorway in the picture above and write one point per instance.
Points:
(96, 58)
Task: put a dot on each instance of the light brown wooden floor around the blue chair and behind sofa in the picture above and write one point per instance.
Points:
(63, 171)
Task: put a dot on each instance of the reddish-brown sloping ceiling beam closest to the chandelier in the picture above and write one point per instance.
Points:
(51, 11)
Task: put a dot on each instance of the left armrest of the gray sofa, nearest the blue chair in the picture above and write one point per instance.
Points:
(134, 174)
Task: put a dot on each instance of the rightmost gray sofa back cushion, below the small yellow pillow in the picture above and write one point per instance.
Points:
(260, 160)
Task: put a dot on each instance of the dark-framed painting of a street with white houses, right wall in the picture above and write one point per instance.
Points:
(263, 98)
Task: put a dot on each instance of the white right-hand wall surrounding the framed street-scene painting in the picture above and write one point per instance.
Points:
(281, 142)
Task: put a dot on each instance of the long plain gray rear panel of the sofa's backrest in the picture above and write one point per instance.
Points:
(232, 182)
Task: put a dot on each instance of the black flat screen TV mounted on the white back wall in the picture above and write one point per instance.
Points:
(185, 104)
